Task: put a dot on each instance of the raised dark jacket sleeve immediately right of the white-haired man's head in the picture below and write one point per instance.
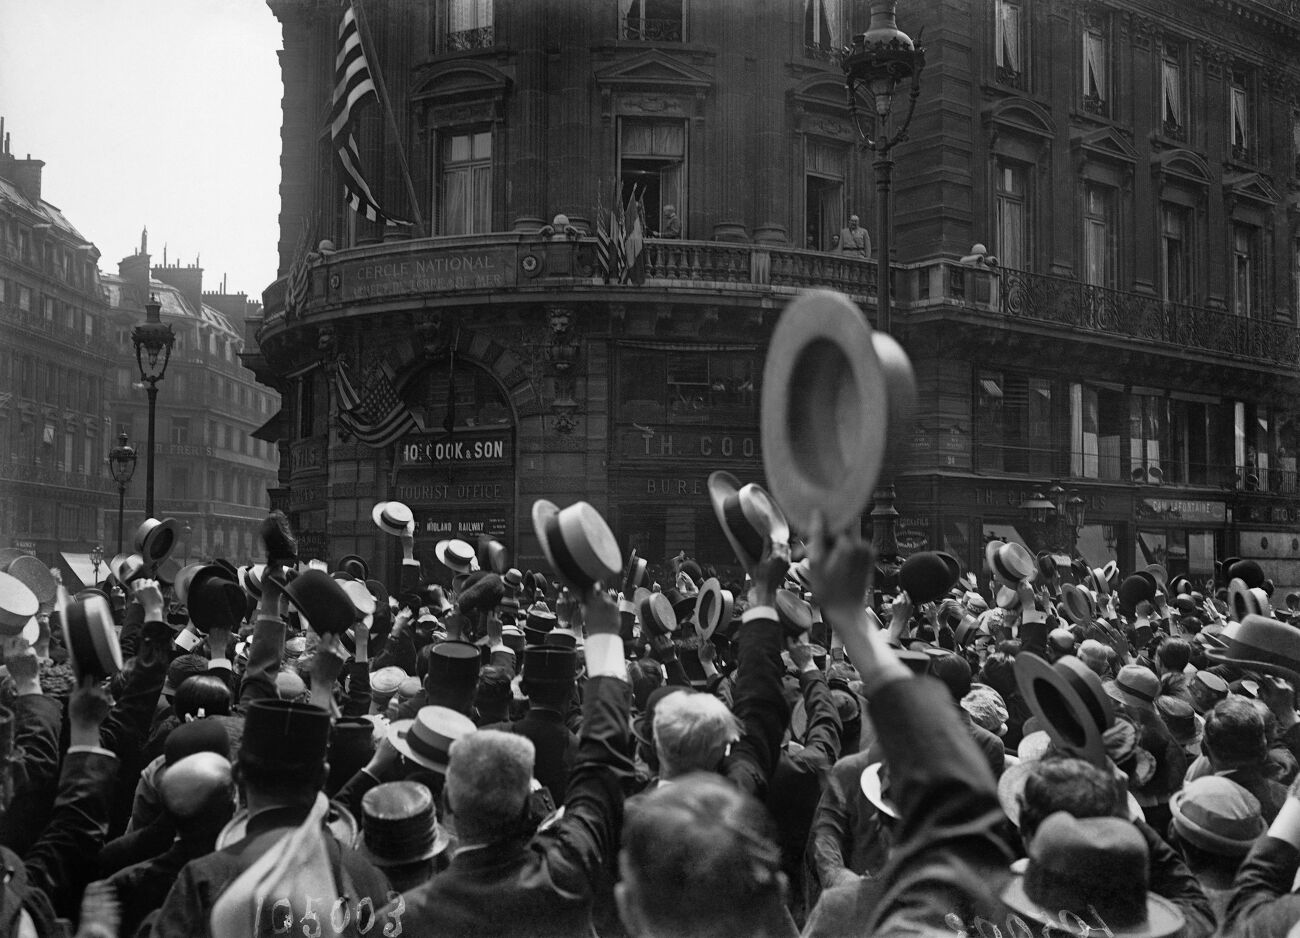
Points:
(760, 706)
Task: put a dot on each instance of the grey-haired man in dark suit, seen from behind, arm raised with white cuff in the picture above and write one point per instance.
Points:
(504, 881)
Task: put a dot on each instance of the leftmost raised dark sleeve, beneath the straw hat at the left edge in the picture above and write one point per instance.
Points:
(36, 770)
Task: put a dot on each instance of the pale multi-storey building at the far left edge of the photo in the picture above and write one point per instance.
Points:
(54, 362)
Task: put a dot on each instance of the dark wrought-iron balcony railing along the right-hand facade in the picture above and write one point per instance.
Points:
(1115, 312)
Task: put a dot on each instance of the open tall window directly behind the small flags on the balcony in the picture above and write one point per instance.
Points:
(653, 167)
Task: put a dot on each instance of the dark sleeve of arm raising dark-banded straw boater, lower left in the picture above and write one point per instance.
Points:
(63, 861)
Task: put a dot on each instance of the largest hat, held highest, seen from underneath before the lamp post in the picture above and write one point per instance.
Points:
(826, 411)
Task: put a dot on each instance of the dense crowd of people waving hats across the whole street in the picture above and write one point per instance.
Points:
(838, 745)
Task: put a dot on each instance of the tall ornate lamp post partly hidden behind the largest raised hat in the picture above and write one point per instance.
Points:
(877, 64)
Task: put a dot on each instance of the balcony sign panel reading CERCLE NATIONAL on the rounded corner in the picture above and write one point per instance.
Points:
(453, 268)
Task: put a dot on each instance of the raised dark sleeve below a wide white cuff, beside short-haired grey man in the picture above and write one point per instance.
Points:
(587, 837)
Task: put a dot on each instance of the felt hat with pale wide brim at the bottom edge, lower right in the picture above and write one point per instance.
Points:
(1093, 868)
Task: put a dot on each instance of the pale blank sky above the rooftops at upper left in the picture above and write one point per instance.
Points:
(153, 114)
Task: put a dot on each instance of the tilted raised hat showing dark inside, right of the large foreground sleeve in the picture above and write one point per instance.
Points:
(1069, 701)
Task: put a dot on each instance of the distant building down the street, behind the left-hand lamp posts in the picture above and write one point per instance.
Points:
(211, 475)
